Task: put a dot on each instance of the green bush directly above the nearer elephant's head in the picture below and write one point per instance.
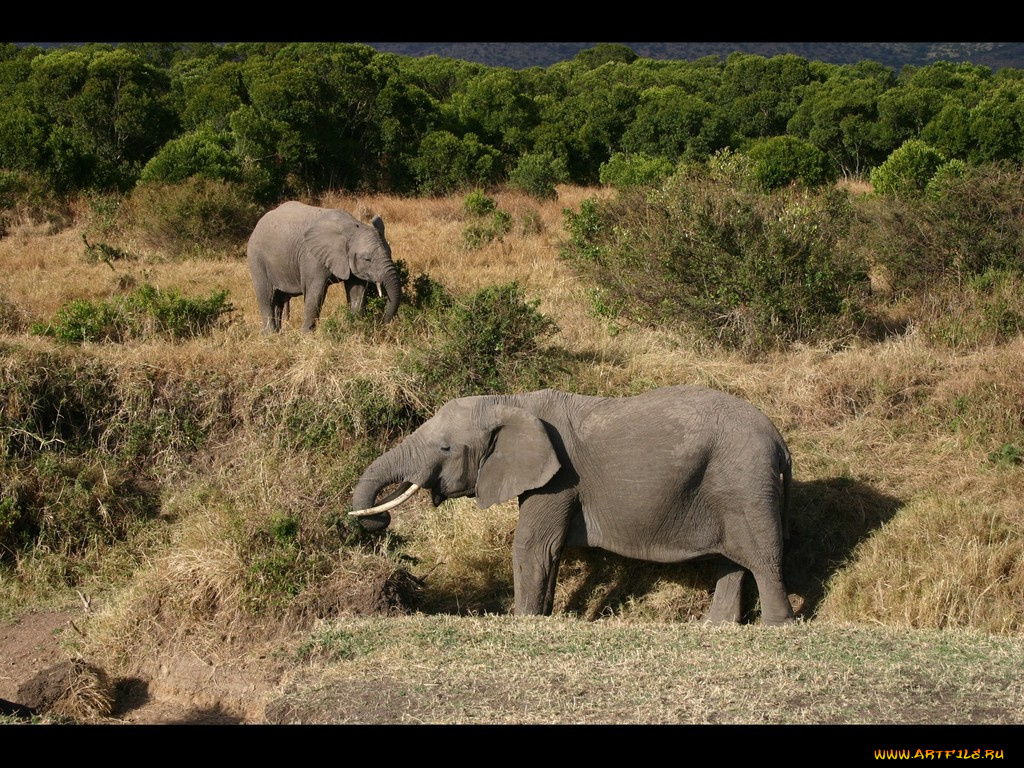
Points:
(490, 343)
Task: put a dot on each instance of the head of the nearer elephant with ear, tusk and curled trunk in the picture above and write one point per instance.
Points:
(473, 447)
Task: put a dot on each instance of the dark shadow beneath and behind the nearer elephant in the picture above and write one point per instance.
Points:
(828, 520)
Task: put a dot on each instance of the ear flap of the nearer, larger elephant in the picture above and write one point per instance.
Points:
(521, 457)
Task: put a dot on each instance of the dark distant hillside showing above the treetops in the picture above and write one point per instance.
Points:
(895, 56)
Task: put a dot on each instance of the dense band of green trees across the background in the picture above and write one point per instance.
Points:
(287, 119)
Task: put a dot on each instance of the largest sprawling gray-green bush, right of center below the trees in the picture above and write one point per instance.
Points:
(749, 270)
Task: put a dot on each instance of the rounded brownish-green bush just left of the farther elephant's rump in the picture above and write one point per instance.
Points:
(196, 218)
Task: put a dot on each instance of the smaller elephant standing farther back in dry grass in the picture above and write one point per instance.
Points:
(300, 250)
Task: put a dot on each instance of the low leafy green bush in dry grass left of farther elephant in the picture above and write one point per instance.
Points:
(144, 314)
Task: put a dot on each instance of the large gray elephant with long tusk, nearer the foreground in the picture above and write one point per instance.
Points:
(675, 475)
